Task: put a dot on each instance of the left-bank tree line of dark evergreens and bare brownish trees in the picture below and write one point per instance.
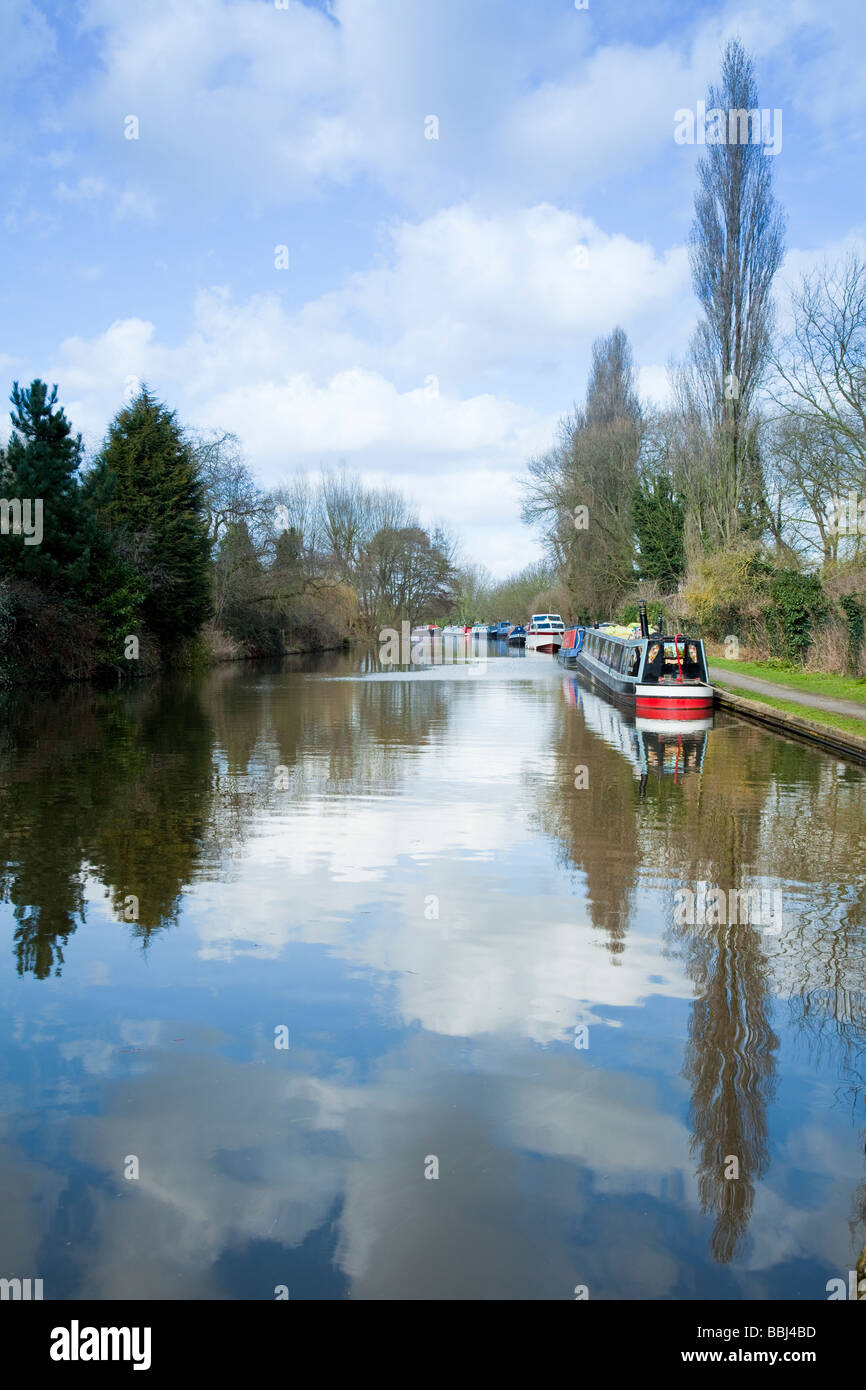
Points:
(163, 550)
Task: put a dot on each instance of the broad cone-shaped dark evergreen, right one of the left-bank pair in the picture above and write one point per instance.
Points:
(147, 490)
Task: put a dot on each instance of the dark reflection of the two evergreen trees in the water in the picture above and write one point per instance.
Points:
(111, 786)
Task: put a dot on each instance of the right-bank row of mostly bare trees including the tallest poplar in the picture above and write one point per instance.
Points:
(742, 505)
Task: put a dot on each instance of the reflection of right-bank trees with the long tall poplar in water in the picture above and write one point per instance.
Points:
(757, 811)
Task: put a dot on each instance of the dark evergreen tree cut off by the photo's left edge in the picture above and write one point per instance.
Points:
(40, 484)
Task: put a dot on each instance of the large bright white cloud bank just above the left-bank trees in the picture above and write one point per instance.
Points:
(370, 370)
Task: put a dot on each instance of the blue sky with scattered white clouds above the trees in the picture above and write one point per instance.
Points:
(384, 234)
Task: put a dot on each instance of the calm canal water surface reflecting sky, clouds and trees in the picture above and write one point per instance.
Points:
(333, 982)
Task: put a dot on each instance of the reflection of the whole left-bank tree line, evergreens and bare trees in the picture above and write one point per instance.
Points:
(144, 789)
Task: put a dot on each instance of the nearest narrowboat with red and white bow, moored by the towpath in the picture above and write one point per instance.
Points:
(658, 676)
